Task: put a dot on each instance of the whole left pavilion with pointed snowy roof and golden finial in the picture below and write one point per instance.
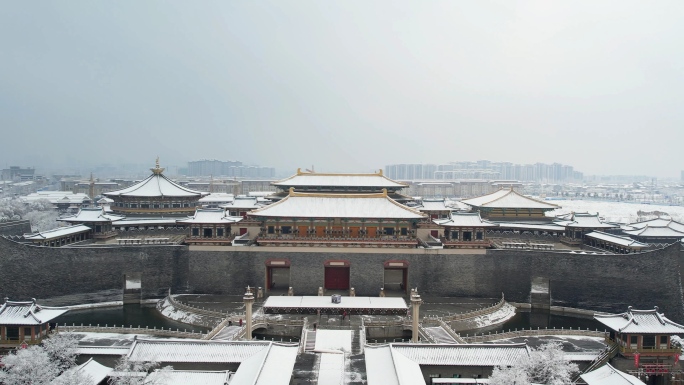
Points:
(156, 195)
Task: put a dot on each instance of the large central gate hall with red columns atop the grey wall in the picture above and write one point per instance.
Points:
(357, 220)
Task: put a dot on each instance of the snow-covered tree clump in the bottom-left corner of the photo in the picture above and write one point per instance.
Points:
(30, 366)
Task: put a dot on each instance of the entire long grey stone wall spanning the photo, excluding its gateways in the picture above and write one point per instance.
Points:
(598, 282)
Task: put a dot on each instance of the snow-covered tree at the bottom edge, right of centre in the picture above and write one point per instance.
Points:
(545, 365)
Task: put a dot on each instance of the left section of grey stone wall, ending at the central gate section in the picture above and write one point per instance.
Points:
(28, 271)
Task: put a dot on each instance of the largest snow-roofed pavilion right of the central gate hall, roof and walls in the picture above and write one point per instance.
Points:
(509, 205)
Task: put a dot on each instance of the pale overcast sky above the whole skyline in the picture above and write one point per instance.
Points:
(344, 85)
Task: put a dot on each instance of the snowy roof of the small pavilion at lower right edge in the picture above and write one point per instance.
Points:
(640, 322)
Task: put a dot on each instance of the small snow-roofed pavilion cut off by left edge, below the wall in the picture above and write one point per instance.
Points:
(25, 322)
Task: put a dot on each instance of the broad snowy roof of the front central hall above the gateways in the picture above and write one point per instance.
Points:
(312, 205)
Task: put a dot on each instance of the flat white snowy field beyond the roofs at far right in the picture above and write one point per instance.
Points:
(620, 212)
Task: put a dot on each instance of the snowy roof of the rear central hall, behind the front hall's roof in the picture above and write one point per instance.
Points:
(314, 179)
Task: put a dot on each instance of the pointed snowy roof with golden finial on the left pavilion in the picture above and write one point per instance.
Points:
(156, 185)
